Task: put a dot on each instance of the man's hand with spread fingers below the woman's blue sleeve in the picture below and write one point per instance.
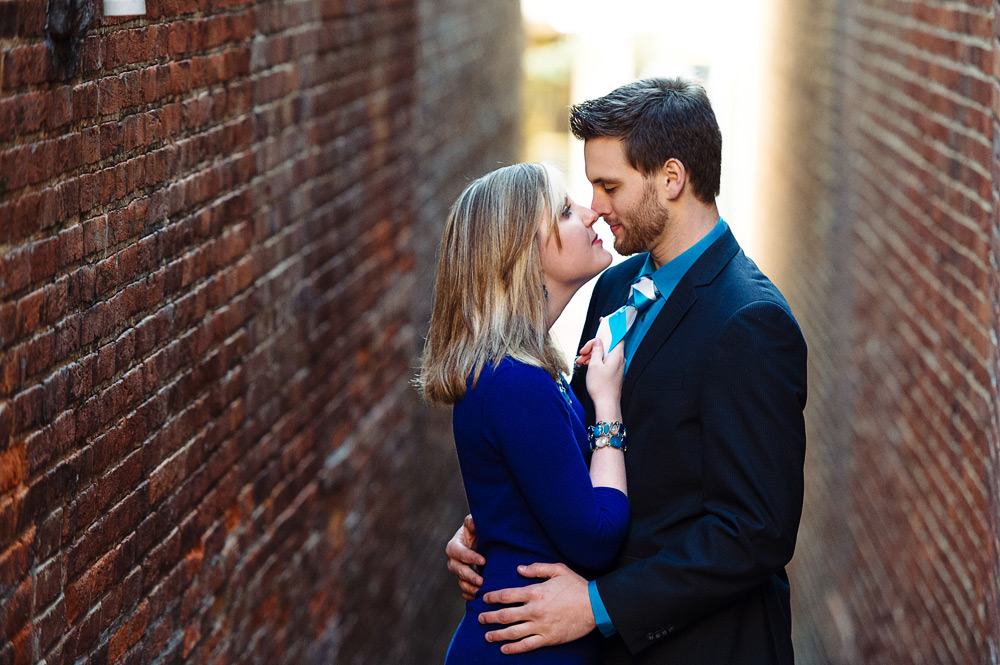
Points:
(553, 612)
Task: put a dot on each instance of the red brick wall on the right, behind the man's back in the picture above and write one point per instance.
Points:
(885, 237)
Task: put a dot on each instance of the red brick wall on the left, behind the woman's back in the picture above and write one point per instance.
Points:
(215, 242)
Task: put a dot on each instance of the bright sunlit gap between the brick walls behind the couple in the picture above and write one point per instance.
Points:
(583, 49)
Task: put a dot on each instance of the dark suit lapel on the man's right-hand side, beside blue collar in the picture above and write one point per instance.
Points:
(703, 272)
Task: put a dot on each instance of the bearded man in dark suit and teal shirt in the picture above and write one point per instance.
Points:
(713, 395)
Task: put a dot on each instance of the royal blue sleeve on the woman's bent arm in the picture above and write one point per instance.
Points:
(528, 420)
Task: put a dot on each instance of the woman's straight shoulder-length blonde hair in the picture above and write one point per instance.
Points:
(489, 299)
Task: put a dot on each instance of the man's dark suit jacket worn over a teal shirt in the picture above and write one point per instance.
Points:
(712, 402)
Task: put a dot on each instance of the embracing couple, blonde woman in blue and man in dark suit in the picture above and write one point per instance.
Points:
(646, 512)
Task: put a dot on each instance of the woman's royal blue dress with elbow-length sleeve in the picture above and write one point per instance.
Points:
(521, 445)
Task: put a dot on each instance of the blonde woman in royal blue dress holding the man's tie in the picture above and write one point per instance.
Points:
(515, 250)
